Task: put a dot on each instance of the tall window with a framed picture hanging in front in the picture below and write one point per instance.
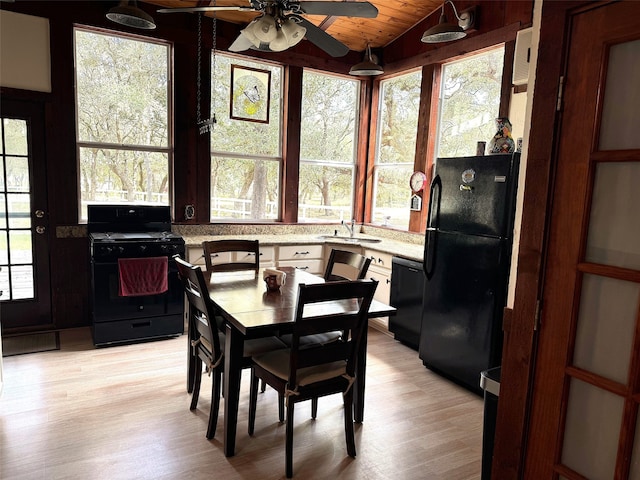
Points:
(246, 156)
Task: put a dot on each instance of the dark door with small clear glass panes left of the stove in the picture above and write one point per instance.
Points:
(25, 296)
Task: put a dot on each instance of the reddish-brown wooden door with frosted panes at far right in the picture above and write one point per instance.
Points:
(586, 391)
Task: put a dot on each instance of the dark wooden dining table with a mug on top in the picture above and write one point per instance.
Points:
(251, 311)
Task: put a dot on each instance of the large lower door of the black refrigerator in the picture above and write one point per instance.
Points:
(461, 333)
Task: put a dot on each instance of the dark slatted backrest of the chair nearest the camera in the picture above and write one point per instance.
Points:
(320, 308)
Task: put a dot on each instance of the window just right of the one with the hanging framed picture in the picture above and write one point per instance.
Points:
(328, 139)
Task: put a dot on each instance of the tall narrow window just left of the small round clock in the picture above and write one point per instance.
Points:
(395, 149)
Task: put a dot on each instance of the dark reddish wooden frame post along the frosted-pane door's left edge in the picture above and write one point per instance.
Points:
(520, 335)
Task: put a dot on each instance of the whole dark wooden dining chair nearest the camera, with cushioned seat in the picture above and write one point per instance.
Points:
(301, 373)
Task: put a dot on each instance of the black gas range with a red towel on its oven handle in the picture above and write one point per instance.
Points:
(138, 235)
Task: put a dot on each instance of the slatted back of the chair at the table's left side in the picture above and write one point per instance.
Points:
(201, 311)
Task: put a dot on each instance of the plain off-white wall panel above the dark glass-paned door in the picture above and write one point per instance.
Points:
(25, 56)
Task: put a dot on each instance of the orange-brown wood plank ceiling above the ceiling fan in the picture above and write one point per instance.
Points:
(395, 17)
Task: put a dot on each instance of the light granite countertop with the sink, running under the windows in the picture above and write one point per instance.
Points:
(411, 251)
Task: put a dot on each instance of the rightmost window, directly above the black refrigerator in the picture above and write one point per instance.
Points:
(469, 103)
